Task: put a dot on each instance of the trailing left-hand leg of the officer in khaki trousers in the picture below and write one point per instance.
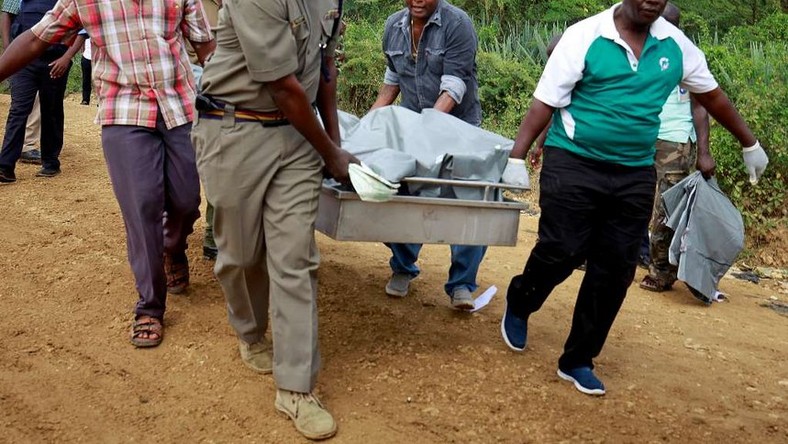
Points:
(241, 151)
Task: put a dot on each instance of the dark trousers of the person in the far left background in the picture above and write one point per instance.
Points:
(34, 78)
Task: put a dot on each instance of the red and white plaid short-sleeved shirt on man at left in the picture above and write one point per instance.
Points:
(140, 64)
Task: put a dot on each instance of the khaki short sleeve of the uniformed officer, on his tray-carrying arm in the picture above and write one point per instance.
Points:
(270, 55)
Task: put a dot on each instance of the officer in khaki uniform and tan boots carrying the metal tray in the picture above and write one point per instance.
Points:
(259, 149)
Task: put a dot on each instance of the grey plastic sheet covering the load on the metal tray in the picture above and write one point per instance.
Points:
(397, 142)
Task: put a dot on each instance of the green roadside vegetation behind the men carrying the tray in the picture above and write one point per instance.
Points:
(746, 44)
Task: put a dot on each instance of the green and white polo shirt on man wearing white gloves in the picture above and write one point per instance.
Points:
(607, 101)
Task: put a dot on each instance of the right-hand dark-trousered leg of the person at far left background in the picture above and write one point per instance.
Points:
(51, 95)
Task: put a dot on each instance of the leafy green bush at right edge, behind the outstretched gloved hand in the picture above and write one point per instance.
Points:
(756, 81)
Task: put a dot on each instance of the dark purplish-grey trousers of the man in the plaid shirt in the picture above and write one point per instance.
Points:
(155, 180)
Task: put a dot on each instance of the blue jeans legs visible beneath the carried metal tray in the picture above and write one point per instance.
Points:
(465, 260)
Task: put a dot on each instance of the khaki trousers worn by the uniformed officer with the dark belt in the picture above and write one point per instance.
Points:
(264, 185)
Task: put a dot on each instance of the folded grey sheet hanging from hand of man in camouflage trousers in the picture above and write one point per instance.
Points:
(709, 232)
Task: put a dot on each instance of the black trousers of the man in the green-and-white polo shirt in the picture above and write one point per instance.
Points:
(593, 211)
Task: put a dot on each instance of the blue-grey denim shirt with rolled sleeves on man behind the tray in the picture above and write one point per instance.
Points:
(446, 61)
